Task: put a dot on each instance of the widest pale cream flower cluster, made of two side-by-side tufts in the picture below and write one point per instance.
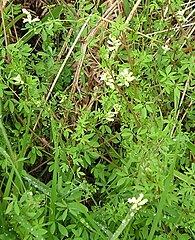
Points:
(123, 79)
